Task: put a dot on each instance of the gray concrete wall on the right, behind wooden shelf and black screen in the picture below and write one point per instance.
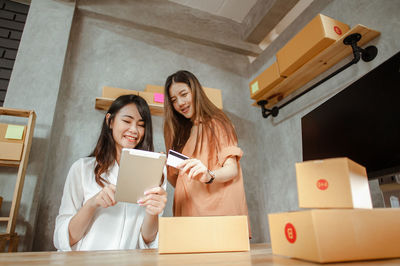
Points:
(280, 137)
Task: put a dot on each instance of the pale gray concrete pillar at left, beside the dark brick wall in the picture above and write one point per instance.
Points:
(34, 85)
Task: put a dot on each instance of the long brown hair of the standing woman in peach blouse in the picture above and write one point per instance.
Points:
(177, 128)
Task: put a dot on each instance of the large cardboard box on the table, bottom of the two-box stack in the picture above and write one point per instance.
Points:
(336, 235)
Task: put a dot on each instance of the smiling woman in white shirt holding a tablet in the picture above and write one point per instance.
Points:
(89, 217)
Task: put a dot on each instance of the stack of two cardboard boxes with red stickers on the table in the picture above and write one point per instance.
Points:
(343, 226)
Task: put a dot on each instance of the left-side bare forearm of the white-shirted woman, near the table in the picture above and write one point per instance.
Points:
(80, 222)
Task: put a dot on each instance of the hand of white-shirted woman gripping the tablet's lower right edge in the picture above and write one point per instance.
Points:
(154, 200)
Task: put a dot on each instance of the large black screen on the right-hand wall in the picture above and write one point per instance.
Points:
(361, 122)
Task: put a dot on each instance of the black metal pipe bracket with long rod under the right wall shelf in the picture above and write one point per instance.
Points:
(368, 54)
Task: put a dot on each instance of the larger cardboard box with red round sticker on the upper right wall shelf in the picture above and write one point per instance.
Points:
(321, 32)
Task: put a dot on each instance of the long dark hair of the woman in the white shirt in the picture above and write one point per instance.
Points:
(105, 150)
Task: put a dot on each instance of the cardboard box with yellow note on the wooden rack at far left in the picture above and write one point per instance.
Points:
(11, 141)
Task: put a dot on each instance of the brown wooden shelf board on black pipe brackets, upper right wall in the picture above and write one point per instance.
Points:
(316, 66)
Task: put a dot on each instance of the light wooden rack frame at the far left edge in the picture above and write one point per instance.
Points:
(10, 235)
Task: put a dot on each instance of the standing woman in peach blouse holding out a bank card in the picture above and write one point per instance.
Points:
(210, 182)
